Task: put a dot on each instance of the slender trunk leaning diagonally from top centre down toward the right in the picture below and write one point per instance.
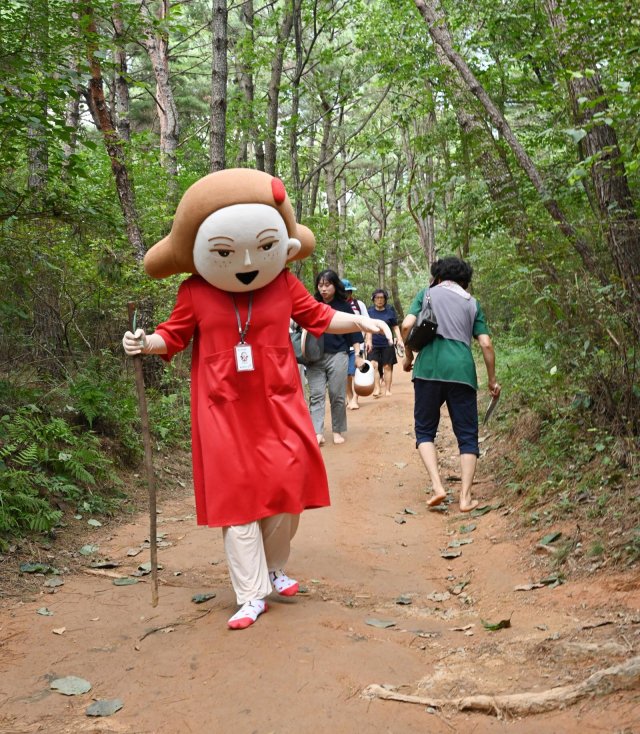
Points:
(440, 34)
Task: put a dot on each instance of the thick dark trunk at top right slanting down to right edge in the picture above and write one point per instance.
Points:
(608, 174)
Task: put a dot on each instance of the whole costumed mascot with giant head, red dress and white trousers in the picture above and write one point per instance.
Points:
(256, 461)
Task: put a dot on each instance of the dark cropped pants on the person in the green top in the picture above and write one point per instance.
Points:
(462, 403)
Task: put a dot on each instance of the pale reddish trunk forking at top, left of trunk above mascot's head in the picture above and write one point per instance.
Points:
(157, 46)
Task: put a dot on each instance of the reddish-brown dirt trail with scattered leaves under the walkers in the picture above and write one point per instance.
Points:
(302, 667)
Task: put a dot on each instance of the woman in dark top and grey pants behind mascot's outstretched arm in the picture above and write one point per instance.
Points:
(331, 369)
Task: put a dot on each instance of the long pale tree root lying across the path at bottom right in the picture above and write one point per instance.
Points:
(616, 678)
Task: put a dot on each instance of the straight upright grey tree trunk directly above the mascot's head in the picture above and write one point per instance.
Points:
(218, 109)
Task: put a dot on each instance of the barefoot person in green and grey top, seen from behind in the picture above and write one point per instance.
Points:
(444, 371)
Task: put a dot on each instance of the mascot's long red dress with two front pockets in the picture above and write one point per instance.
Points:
(254, 449)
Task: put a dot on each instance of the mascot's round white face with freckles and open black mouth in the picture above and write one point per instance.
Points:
(243, 247)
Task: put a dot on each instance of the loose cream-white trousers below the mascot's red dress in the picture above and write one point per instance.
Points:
(255, 549)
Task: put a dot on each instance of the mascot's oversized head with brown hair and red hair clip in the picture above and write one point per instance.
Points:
(235, 228)
